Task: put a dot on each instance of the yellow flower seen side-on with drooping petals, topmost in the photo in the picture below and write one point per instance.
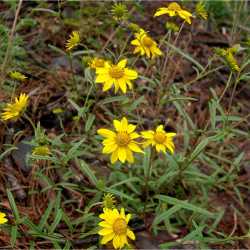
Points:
(174, 9)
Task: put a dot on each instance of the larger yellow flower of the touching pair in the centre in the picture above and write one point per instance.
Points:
(120, 144)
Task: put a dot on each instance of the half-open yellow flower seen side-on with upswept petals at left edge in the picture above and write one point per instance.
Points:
(16, 109)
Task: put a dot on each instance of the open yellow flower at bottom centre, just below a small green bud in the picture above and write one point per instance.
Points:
(115, 227)
